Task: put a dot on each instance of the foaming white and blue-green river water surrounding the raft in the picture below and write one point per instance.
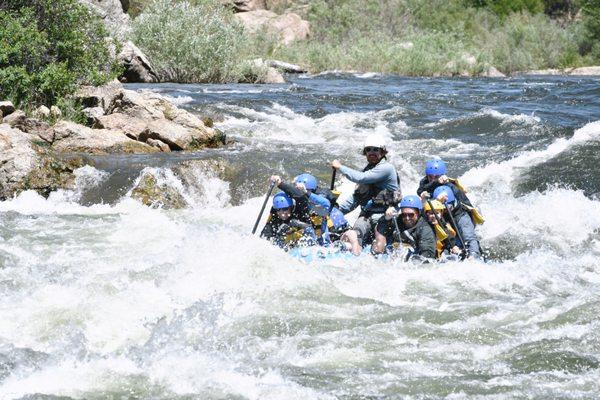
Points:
(103, 298)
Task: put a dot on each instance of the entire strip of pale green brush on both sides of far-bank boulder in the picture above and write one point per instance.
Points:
(409, 37)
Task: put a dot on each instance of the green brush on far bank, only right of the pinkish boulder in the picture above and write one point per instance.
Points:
(415, 37)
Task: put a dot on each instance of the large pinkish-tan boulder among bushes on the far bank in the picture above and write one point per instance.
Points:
(288, 27)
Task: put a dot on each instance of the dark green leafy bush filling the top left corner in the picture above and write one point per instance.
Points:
(48, 48)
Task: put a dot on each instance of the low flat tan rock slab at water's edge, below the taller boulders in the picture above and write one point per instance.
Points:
(70, 137)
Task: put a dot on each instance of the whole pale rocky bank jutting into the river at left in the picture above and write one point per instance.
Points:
(42, 153)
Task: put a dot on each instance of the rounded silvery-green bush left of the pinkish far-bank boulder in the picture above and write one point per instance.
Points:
(190, 42)
